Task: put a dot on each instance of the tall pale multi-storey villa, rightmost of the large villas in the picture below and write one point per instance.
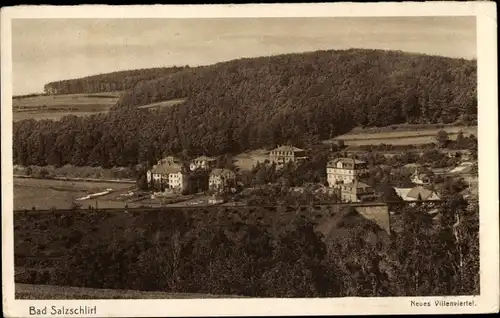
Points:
(344, 170)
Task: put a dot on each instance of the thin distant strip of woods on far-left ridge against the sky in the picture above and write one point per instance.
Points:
(109, 82)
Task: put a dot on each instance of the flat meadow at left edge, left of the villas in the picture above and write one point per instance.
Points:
(48, 194)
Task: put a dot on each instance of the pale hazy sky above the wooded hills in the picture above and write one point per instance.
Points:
(45, 50)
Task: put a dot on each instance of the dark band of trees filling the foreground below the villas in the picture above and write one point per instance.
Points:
(250, 254)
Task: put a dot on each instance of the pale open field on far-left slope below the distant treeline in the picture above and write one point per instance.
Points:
(57, 106)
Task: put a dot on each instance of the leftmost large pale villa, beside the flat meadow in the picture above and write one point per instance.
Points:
(168, 175)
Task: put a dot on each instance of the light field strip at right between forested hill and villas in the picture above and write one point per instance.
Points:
(409, 137)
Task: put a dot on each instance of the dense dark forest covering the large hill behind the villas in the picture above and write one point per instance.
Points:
(253, 103)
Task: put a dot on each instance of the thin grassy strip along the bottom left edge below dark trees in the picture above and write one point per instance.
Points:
(28, 291)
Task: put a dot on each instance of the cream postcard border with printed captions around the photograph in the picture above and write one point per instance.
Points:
(488, 301)
